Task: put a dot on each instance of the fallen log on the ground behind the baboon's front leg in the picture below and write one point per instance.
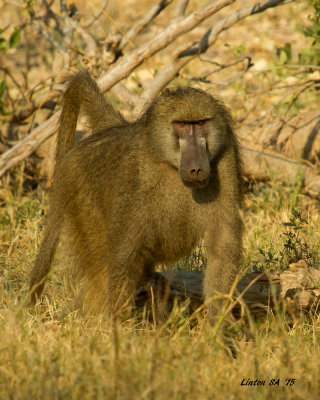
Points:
(297, 289)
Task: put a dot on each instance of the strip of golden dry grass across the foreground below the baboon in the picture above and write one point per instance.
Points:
(71, 360)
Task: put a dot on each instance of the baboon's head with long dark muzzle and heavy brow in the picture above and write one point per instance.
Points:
(190, 129)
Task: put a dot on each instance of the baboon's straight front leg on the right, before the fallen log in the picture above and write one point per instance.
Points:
(224, 248)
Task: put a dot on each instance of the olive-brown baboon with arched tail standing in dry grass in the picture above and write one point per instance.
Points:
(133, 195)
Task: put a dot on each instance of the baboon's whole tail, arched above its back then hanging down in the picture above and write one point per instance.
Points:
(82, 94)
